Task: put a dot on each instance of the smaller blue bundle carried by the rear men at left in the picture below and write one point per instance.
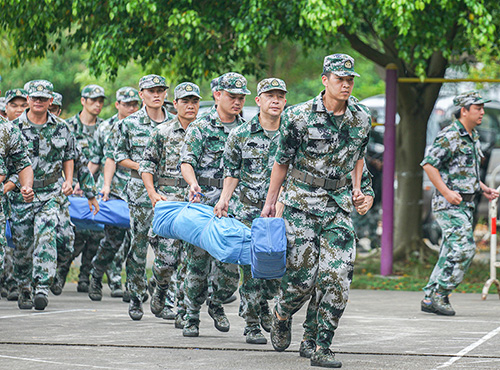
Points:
(113, 212)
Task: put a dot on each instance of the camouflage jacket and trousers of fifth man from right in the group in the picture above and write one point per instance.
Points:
(133, 135)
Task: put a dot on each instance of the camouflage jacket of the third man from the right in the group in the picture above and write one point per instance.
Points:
(203, 149)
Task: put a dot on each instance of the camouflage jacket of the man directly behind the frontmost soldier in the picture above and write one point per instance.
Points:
(249, 156)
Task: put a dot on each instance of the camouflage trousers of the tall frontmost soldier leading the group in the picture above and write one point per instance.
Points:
(320, 257)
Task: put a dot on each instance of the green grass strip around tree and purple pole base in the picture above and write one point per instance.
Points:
(413, 275)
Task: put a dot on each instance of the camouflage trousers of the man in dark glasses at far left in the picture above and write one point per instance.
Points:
(34, 235)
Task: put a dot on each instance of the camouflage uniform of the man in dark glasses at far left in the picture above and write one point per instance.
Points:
(34, 225)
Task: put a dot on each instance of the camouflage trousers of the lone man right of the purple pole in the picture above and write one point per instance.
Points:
(456, 253)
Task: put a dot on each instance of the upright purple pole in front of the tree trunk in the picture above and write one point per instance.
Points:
(388, 170)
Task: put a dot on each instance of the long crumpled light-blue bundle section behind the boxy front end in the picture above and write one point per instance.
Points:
(226, 239)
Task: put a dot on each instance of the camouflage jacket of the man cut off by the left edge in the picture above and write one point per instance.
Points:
(13, 152)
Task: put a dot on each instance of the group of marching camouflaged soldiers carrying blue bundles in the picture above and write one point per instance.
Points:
(305, 164)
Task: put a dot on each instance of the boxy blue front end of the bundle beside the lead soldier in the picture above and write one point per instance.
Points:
(268, 252)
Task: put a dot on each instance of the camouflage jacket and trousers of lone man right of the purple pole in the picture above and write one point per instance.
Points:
(457, 156)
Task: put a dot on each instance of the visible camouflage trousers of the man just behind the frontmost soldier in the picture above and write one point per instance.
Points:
(252, 293)
